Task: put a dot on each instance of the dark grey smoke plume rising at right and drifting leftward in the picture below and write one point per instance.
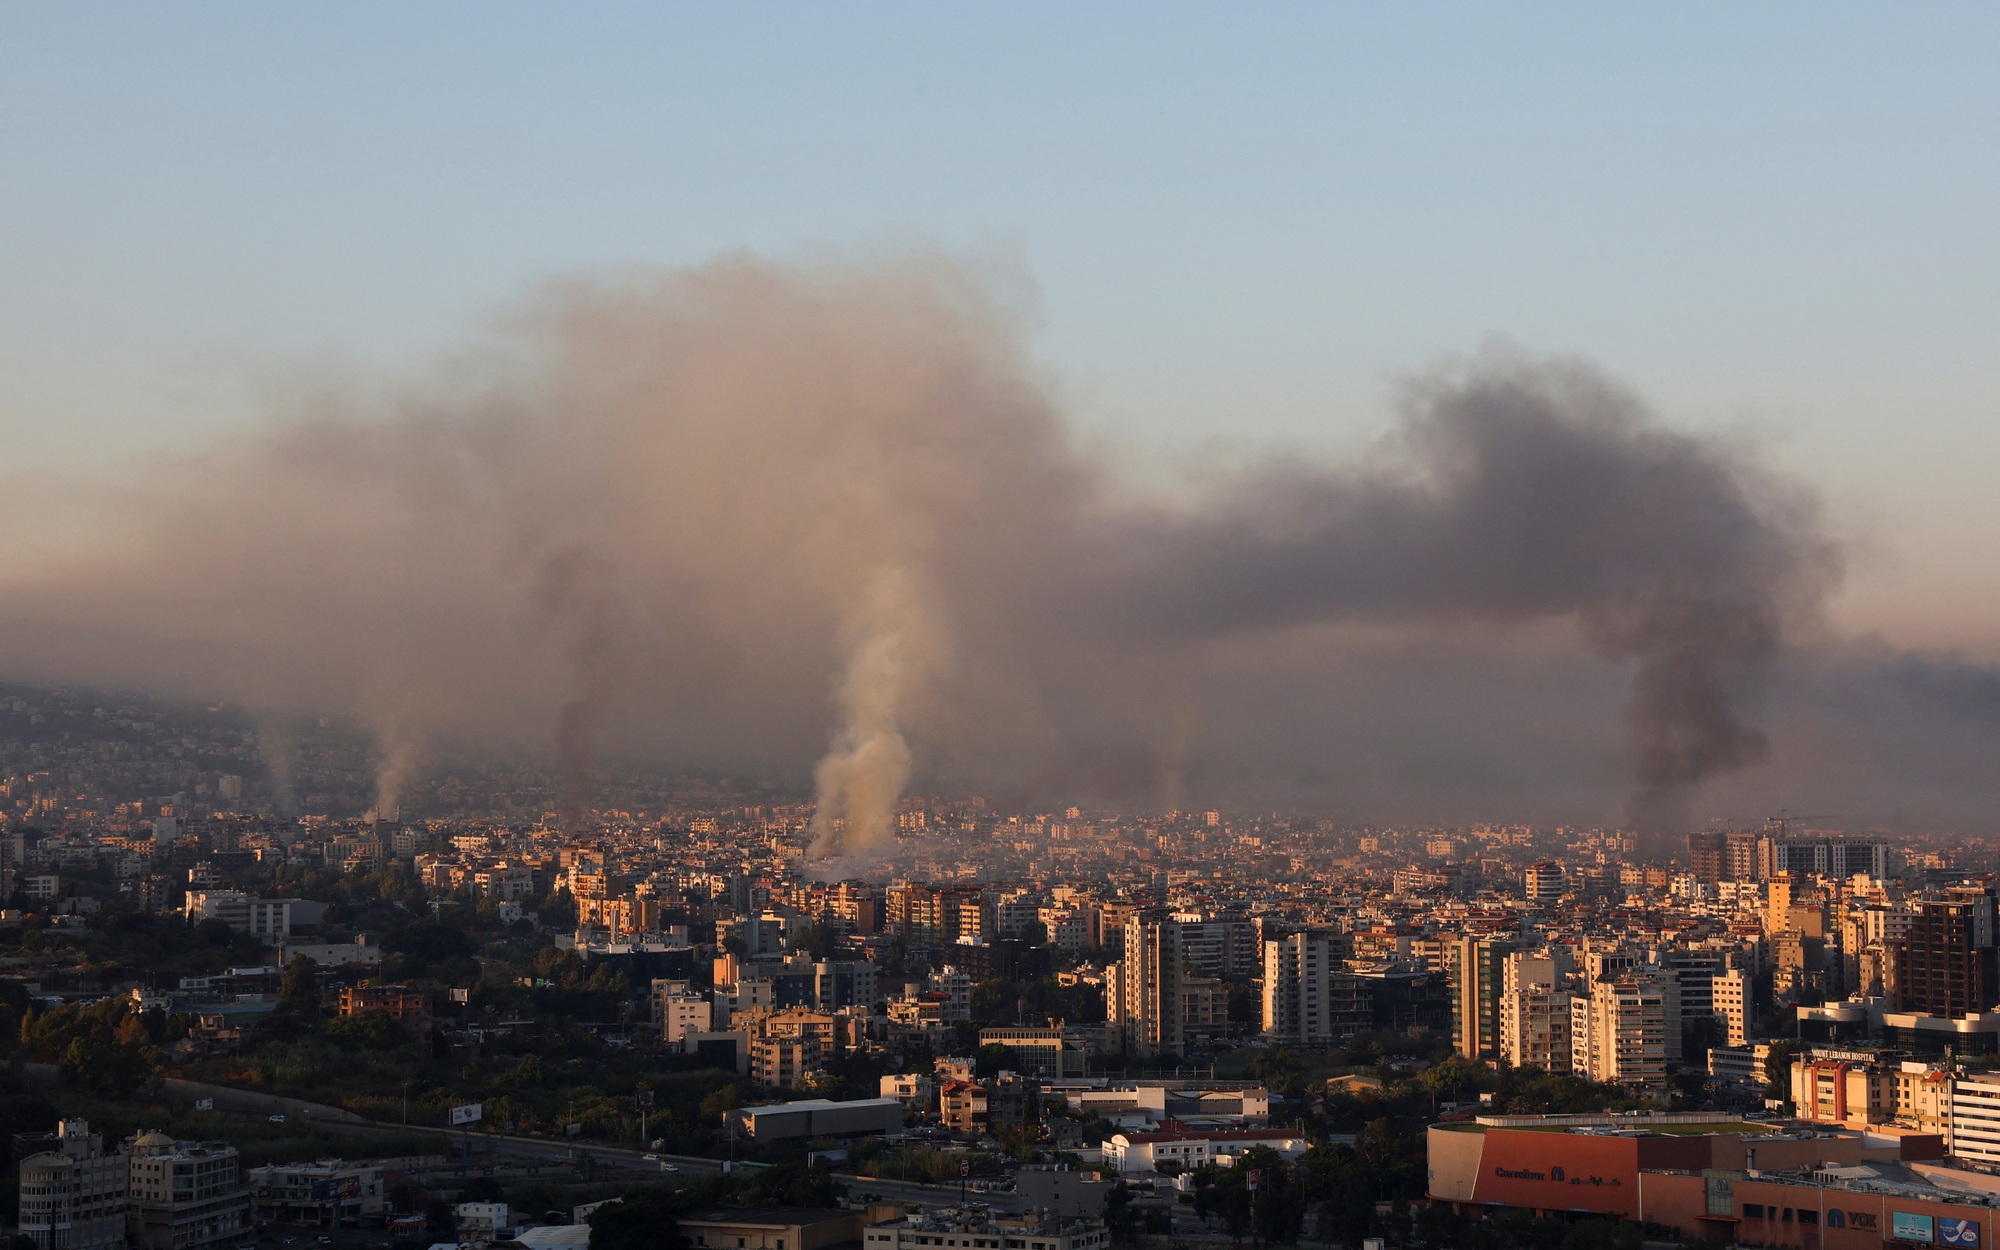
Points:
(1529, 491)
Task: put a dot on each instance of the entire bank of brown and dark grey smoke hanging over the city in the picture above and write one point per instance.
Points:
(765, 517)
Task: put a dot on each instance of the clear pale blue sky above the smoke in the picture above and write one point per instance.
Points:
(1243, 221)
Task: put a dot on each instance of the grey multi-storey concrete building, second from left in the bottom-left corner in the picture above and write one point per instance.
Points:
(187, 1195)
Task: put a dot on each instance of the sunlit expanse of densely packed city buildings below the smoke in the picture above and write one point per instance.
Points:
(1563, 949)
